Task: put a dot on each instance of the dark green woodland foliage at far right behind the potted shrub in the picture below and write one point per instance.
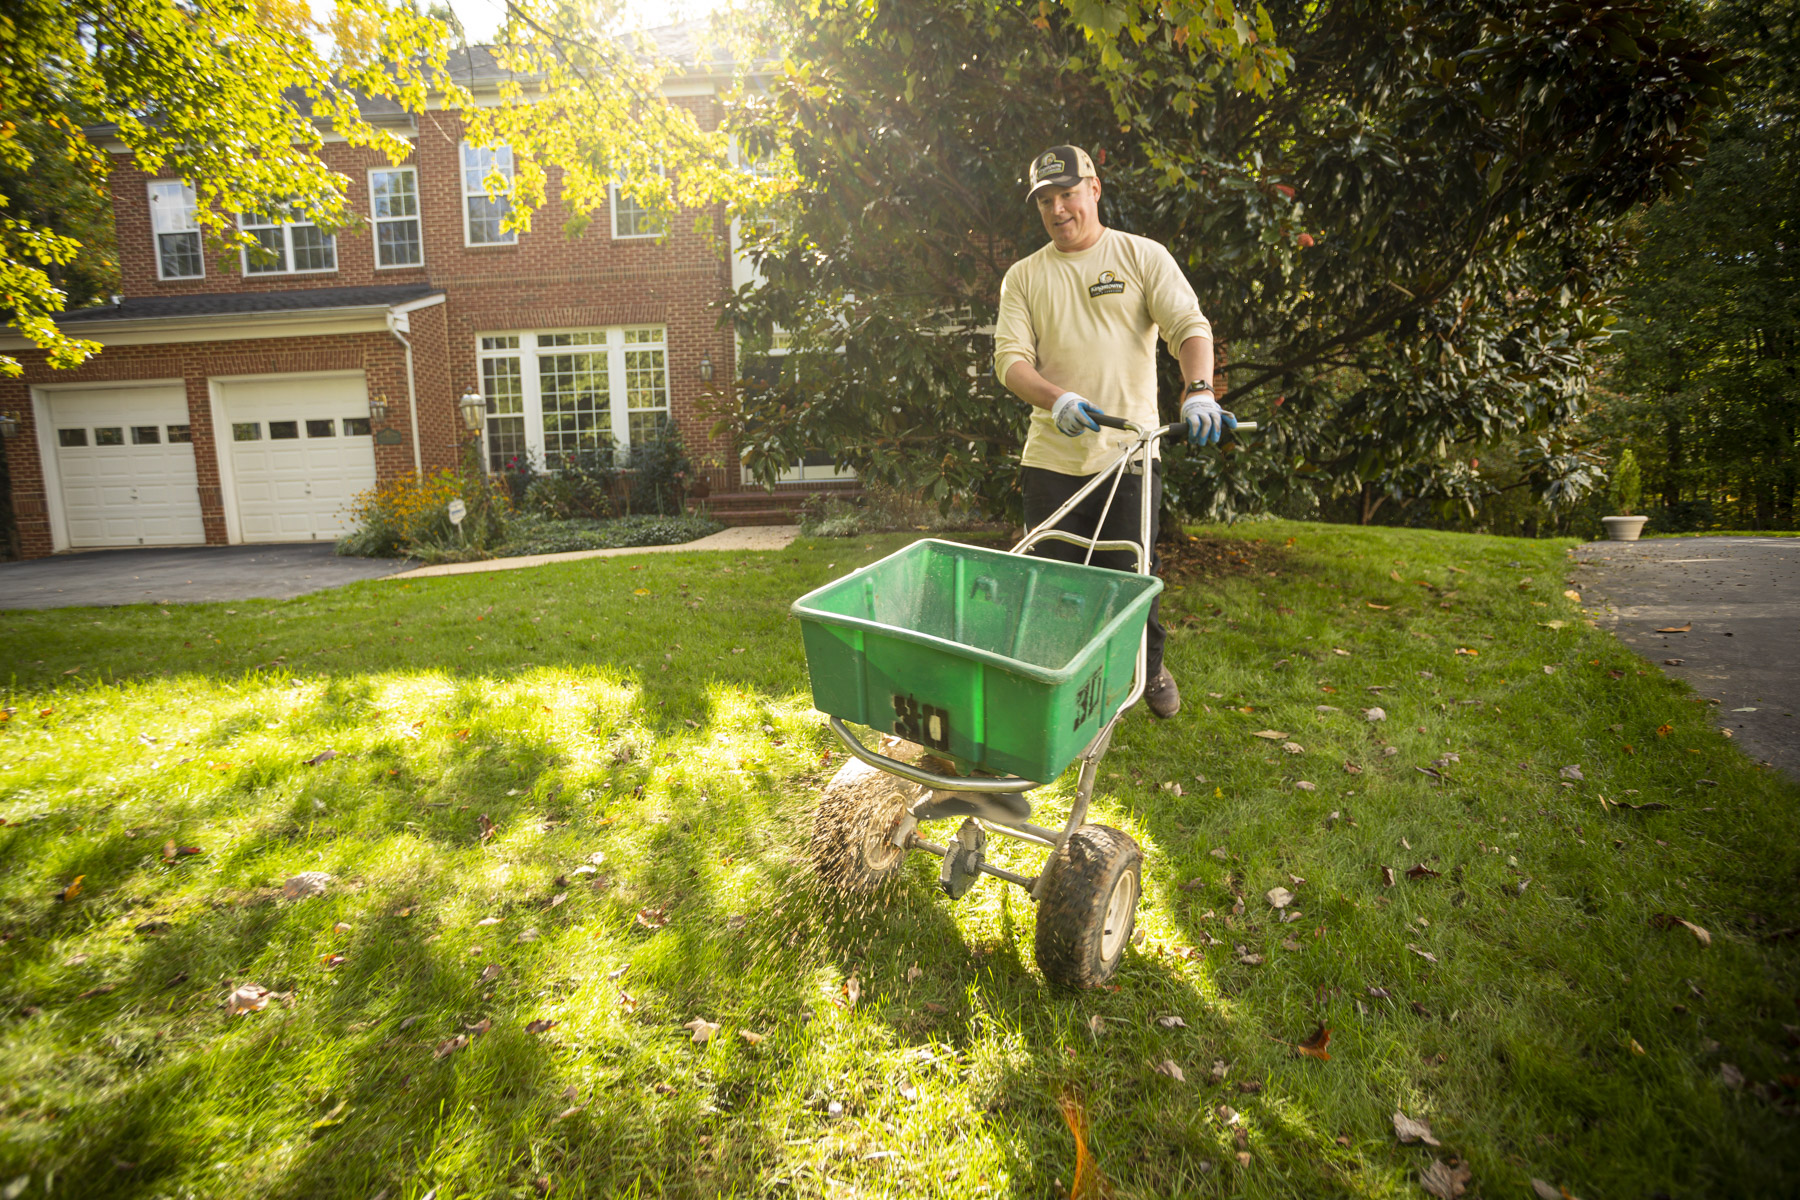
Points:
(1711, 332)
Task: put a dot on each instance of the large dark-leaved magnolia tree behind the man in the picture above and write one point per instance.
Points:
(1403, 220)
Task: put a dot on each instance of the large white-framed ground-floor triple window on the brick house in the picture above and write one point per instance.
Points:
(561, 395)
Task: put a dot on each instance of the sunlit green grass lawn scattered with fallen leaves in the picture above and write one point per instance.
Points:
(649, 719)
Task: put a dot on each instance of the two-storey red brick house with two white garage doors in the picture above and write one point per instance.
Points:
(251, 399)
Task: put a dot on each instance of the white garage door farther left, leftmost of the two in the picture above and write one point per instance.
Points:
(125, 461)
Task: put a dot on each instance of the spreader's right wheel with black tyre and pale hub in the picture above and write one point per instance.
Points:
(1088, 909)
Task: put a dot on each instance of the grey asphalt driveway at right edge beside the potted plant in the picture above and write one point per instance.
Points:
(1741, 604)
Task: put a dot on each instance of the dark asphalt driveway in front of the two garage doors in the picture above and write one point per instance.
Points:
(184, 575)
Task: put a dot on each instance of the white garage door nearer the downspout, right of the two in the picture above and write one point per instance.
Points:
(300, 454)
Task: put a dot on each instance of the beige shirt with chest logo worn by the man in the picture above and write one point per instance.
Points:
(1088, 323)
